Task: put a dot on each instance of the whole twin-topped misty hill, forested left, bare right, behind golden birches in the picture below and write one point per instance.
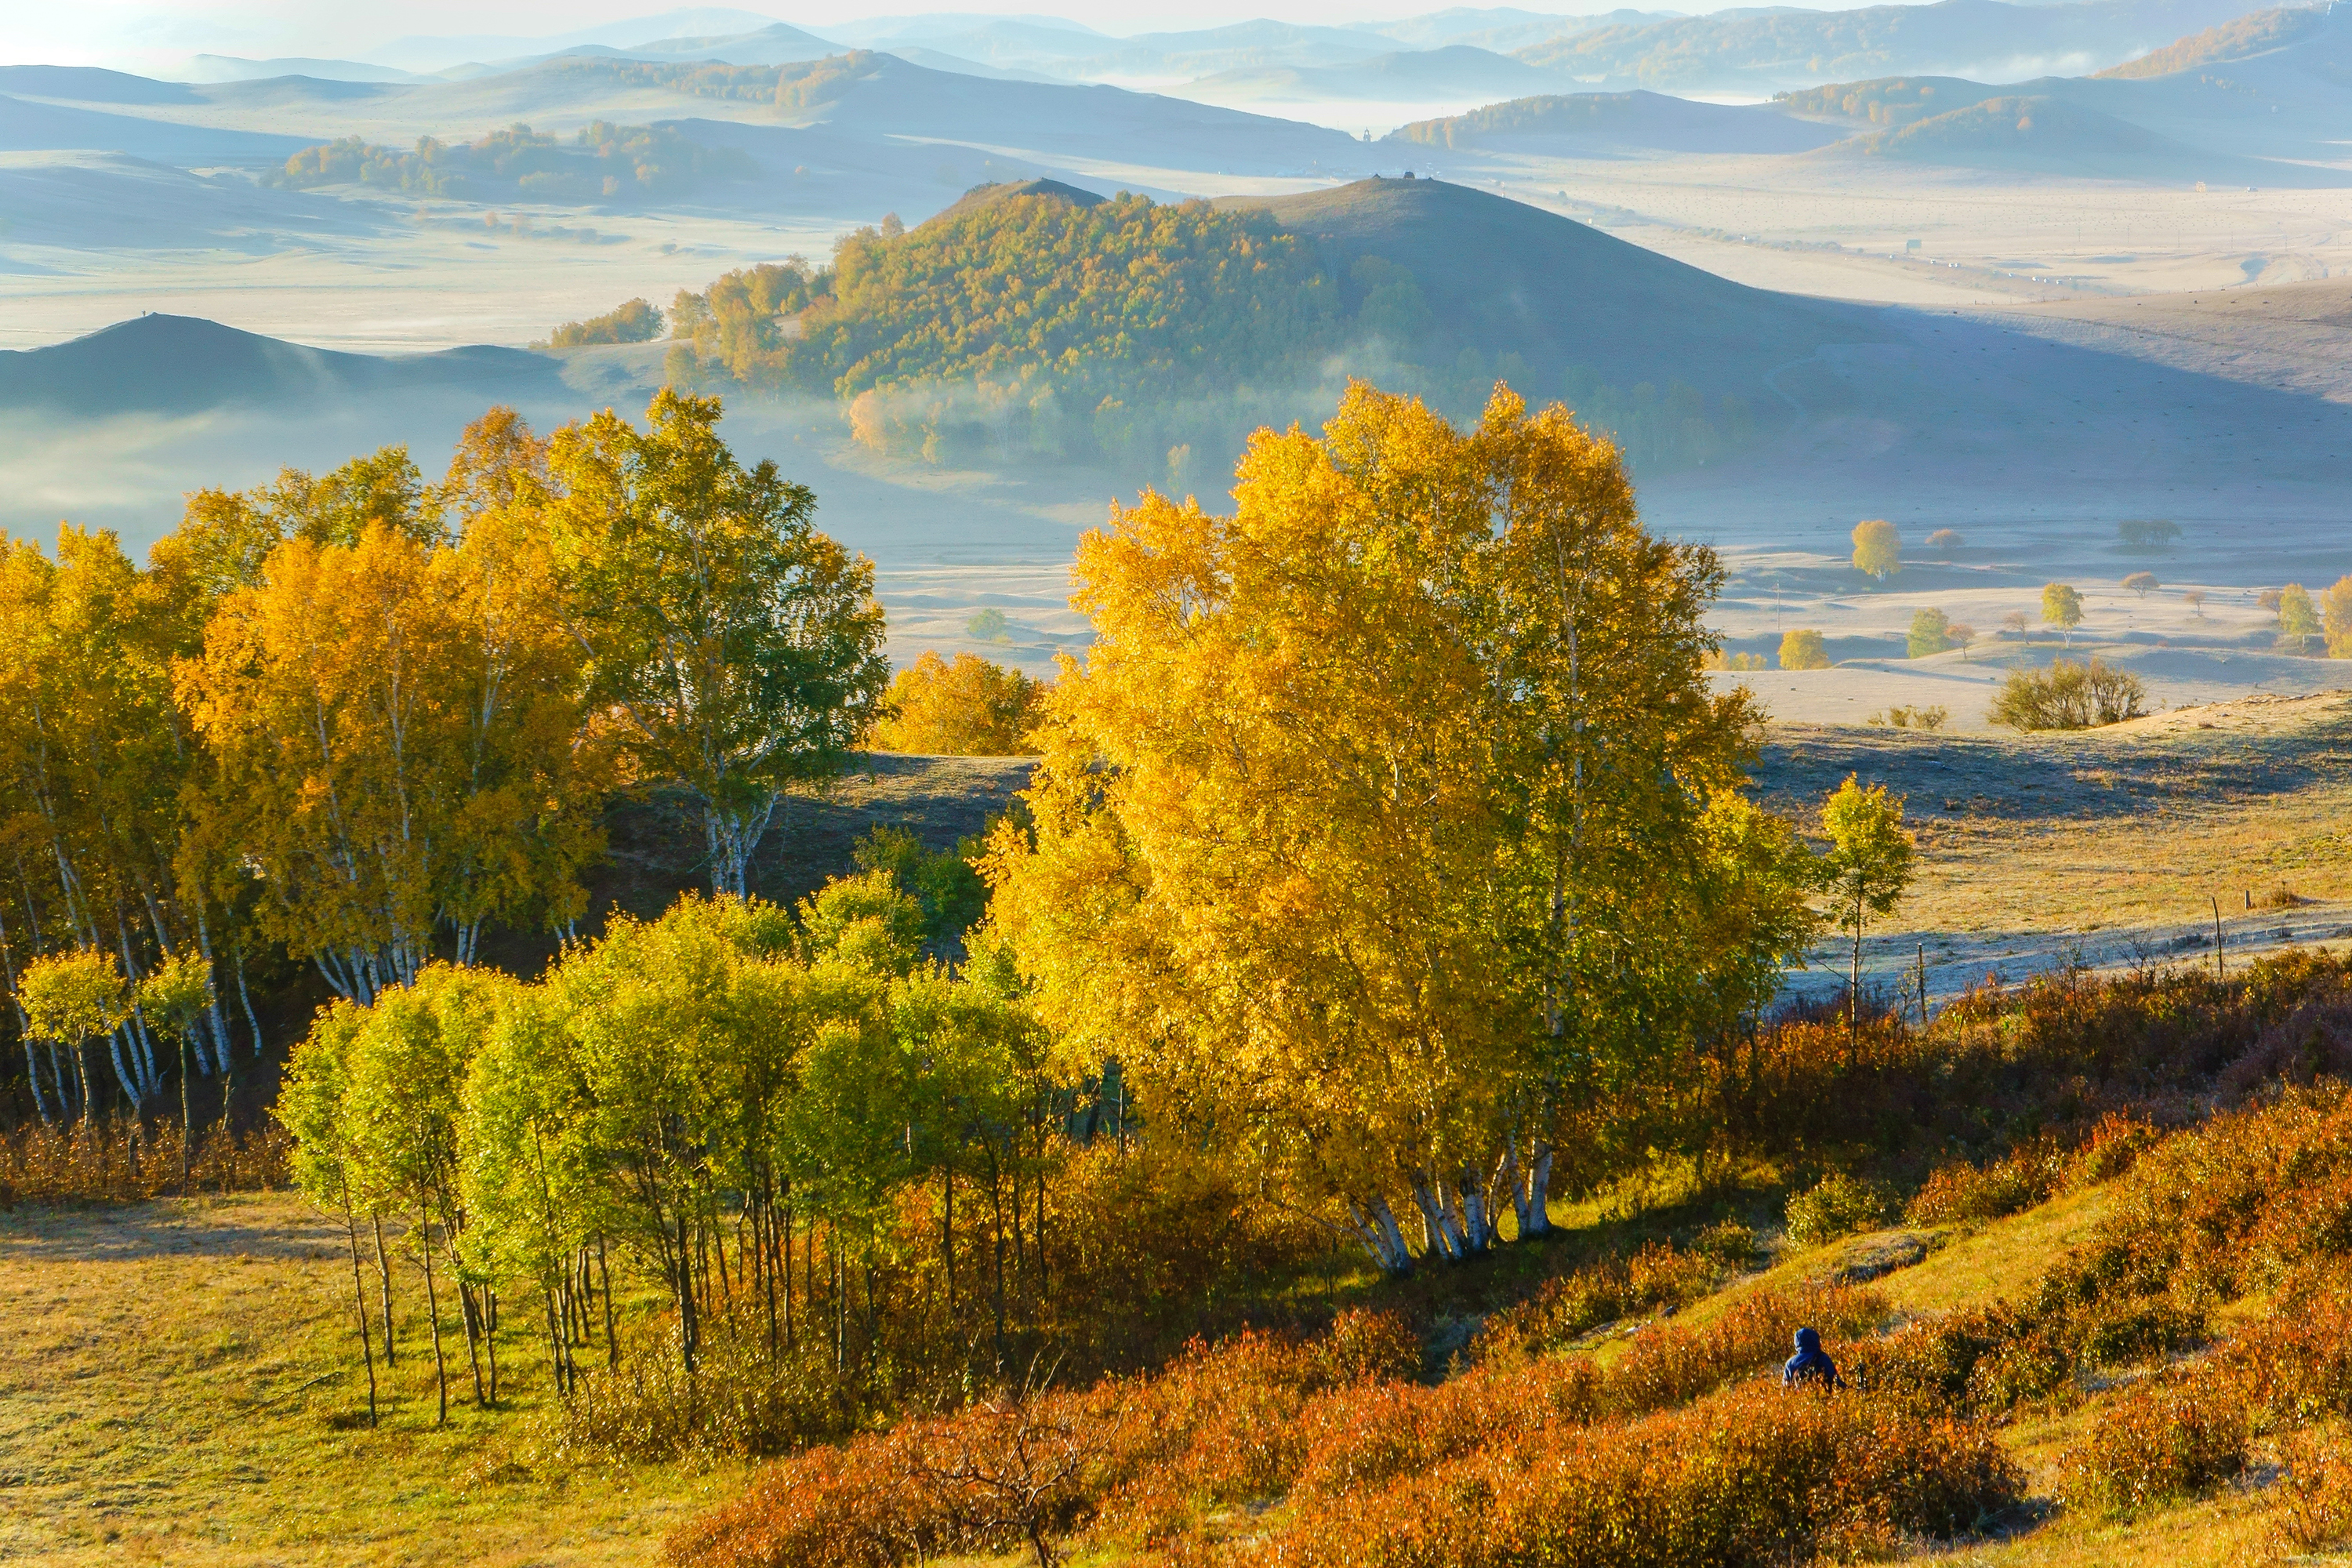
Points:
(1038, 319)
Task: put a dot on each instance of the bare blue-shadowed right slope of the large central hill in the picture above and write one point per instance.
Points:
(1511, 279)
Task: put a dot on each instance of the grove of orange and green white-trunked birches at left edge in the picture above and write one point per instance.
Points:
(363, 721)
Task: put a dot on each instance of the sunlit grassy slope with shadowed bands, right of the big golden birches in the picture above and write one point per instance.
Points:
(2109, 847)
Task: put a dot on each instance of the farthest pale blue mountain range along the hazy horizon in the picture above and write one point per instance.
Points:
(1753, 51)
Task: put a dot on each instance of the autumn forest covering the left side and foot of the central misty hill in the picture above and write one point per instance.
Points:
(1031, 326)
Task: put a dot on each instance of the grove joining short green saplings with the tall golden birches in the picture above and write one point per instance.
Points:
(1389, 859)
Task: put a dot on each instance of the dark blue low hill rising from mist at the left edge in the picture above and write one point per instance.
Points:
(187, 366)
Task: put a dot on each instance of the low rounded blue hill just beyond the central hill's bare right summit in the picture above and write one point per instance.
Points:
(1652, 121)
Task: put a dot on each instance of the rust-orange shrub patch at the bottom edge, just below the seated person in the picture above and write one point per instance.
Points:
(1753, 1475)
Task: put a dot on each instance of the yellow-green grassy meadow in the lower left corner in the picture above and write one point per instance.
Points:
(180, 1383)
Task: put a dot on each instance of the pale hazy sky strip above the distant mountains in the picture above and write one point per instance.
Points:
(154, 32)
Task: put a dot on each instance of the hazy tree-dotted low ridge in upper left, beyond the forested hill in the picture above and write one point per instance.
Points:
(599, 166)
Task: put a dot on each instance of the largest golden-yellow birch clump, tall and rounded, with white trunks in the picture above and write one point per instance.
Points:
(1365, 831)
